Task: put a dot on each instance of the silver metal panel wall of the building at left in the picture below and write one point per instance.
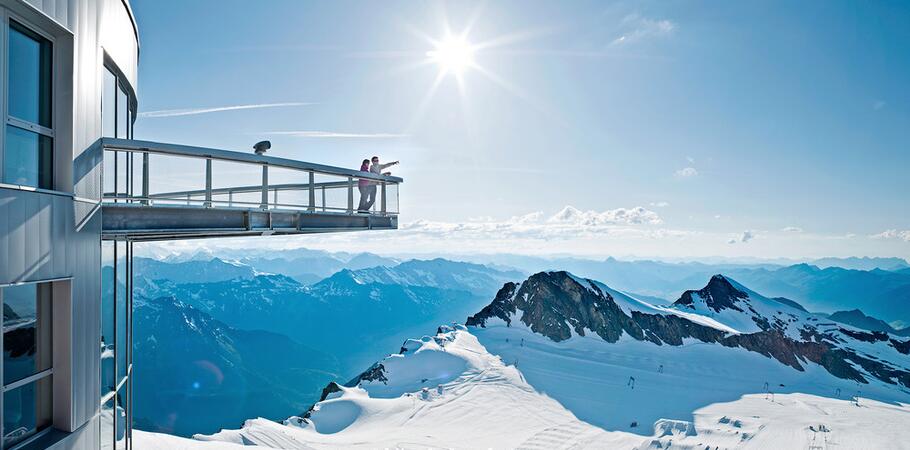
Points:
(39, 239)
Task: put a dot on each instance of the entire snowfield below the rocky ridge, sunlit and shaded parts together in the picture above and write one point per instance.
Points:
(506, 387)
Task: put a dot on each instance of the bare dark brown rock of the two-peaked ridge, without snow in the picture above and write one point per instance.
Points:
(557, 304)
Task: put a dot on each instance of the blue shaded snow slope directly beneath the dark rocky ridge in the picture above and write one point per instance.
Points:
(591, 377)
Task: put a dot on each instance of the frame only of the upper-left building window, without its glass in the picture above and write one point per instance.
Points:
(24, 26)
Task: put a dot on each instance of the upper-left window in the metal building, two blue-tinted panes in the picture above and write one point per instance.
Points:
(29, 134)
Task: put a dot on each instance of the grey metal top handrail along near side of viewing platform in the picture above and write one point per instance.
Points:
(132, 145)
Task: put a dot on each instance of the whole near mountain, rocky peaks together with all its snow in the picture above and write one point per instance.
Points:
(559, 361)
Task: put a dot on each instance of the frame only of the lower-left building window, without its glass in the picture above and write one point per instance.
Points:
(48, 288)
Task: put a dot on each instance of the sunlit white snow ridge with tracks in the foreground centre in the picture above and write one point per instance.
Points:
(472, 400)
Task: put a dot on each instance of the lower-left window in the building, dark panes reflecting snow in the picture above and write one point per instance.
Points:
(27, 361)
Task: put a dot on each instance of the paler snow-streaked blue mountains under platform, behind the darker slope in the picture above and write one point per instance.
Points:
(355, 313)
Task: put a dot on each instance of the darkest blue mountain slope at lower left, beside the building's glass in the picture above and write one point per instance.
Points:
(194, 373)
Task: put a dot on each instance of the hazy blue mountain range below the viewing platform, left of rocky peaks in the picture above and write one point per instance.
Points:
(215, 310)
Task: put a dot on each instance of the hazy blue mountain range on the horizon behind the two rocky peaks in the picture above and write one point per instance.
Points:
(883, 290)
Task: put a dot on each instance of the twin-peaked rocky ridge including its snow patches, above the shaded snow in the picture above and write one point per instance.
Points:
(724, 313)
